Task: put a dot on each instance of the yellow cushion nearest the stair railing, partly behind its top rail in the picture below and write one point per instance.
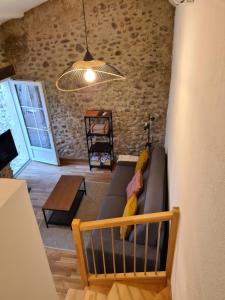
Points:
(129, 210)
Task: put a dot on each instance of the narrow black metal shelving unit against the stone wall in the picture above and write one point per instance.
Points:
(99, 144)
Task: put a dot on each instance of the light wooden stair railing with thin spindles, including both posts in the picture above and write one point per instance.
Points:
(79, 228)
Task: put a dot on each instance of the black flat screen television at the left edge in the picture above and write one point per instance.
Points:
(7, 149)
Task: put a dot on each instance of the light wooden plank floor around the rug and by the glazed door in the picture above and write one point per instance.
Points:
(41, 178)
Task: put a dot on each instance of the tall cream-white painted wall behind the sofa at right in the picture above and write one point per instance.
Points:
(196, 150)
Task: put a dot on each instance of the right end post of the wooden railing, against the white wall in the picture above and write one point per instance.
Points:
(172, 241)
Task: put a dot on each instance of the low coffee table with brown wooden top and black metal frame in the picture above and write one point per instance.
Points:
(64, 200)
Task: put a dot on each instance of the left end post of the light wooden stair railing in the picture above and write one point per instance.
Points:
(80, 251)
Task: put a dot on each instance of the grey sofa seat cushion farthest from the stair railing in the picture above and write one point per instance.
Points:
(121, 177)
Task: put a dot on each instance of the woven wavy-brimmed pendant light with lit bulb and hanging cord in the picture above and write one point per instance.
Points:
(87, 72)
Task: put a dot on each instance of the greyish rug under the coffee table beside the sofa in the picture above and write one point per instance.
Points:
(60, 237)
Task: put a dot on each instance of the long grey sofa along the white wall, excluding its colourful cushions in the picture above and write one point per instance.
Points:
(152, 199)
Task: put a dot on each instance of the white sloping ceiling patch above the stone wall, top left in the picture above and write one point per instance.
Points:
(11, 9)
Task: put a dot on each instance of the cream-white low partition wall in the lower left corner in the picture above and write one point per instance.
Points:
(24, 269)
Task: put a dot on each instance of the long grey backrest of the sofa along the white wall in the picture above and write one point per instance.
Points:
(155, 197)
